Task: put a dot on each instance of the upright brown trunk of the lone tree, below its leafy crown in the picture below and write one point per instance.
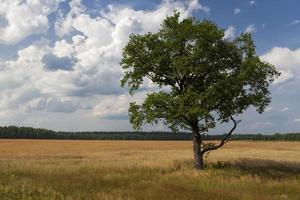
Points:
(198, 156)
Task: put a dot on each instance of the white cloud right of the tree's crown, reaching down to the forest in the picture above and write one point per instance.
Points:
(282, 111)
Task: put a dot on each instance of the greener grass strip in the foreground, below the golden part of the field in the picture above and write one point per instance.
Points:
(178, 181)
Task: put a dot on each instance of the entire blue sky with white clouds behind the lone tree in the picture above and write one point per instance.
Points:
(59, 59)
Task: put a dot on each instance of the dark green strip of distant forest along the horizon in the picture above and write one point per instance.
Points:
(14, 132)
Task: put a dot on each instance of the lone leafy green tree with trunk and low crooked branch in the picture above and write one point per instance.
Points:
(202, 78)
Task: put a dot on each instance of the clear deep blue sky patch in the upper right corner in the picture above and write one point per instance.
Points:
(272, 20)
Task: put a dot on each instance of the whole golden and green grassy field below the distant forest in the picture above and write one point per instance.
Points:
(53, 169)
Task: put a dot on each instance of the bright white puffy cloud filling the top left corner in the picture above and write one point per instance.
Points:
(24, 18)
